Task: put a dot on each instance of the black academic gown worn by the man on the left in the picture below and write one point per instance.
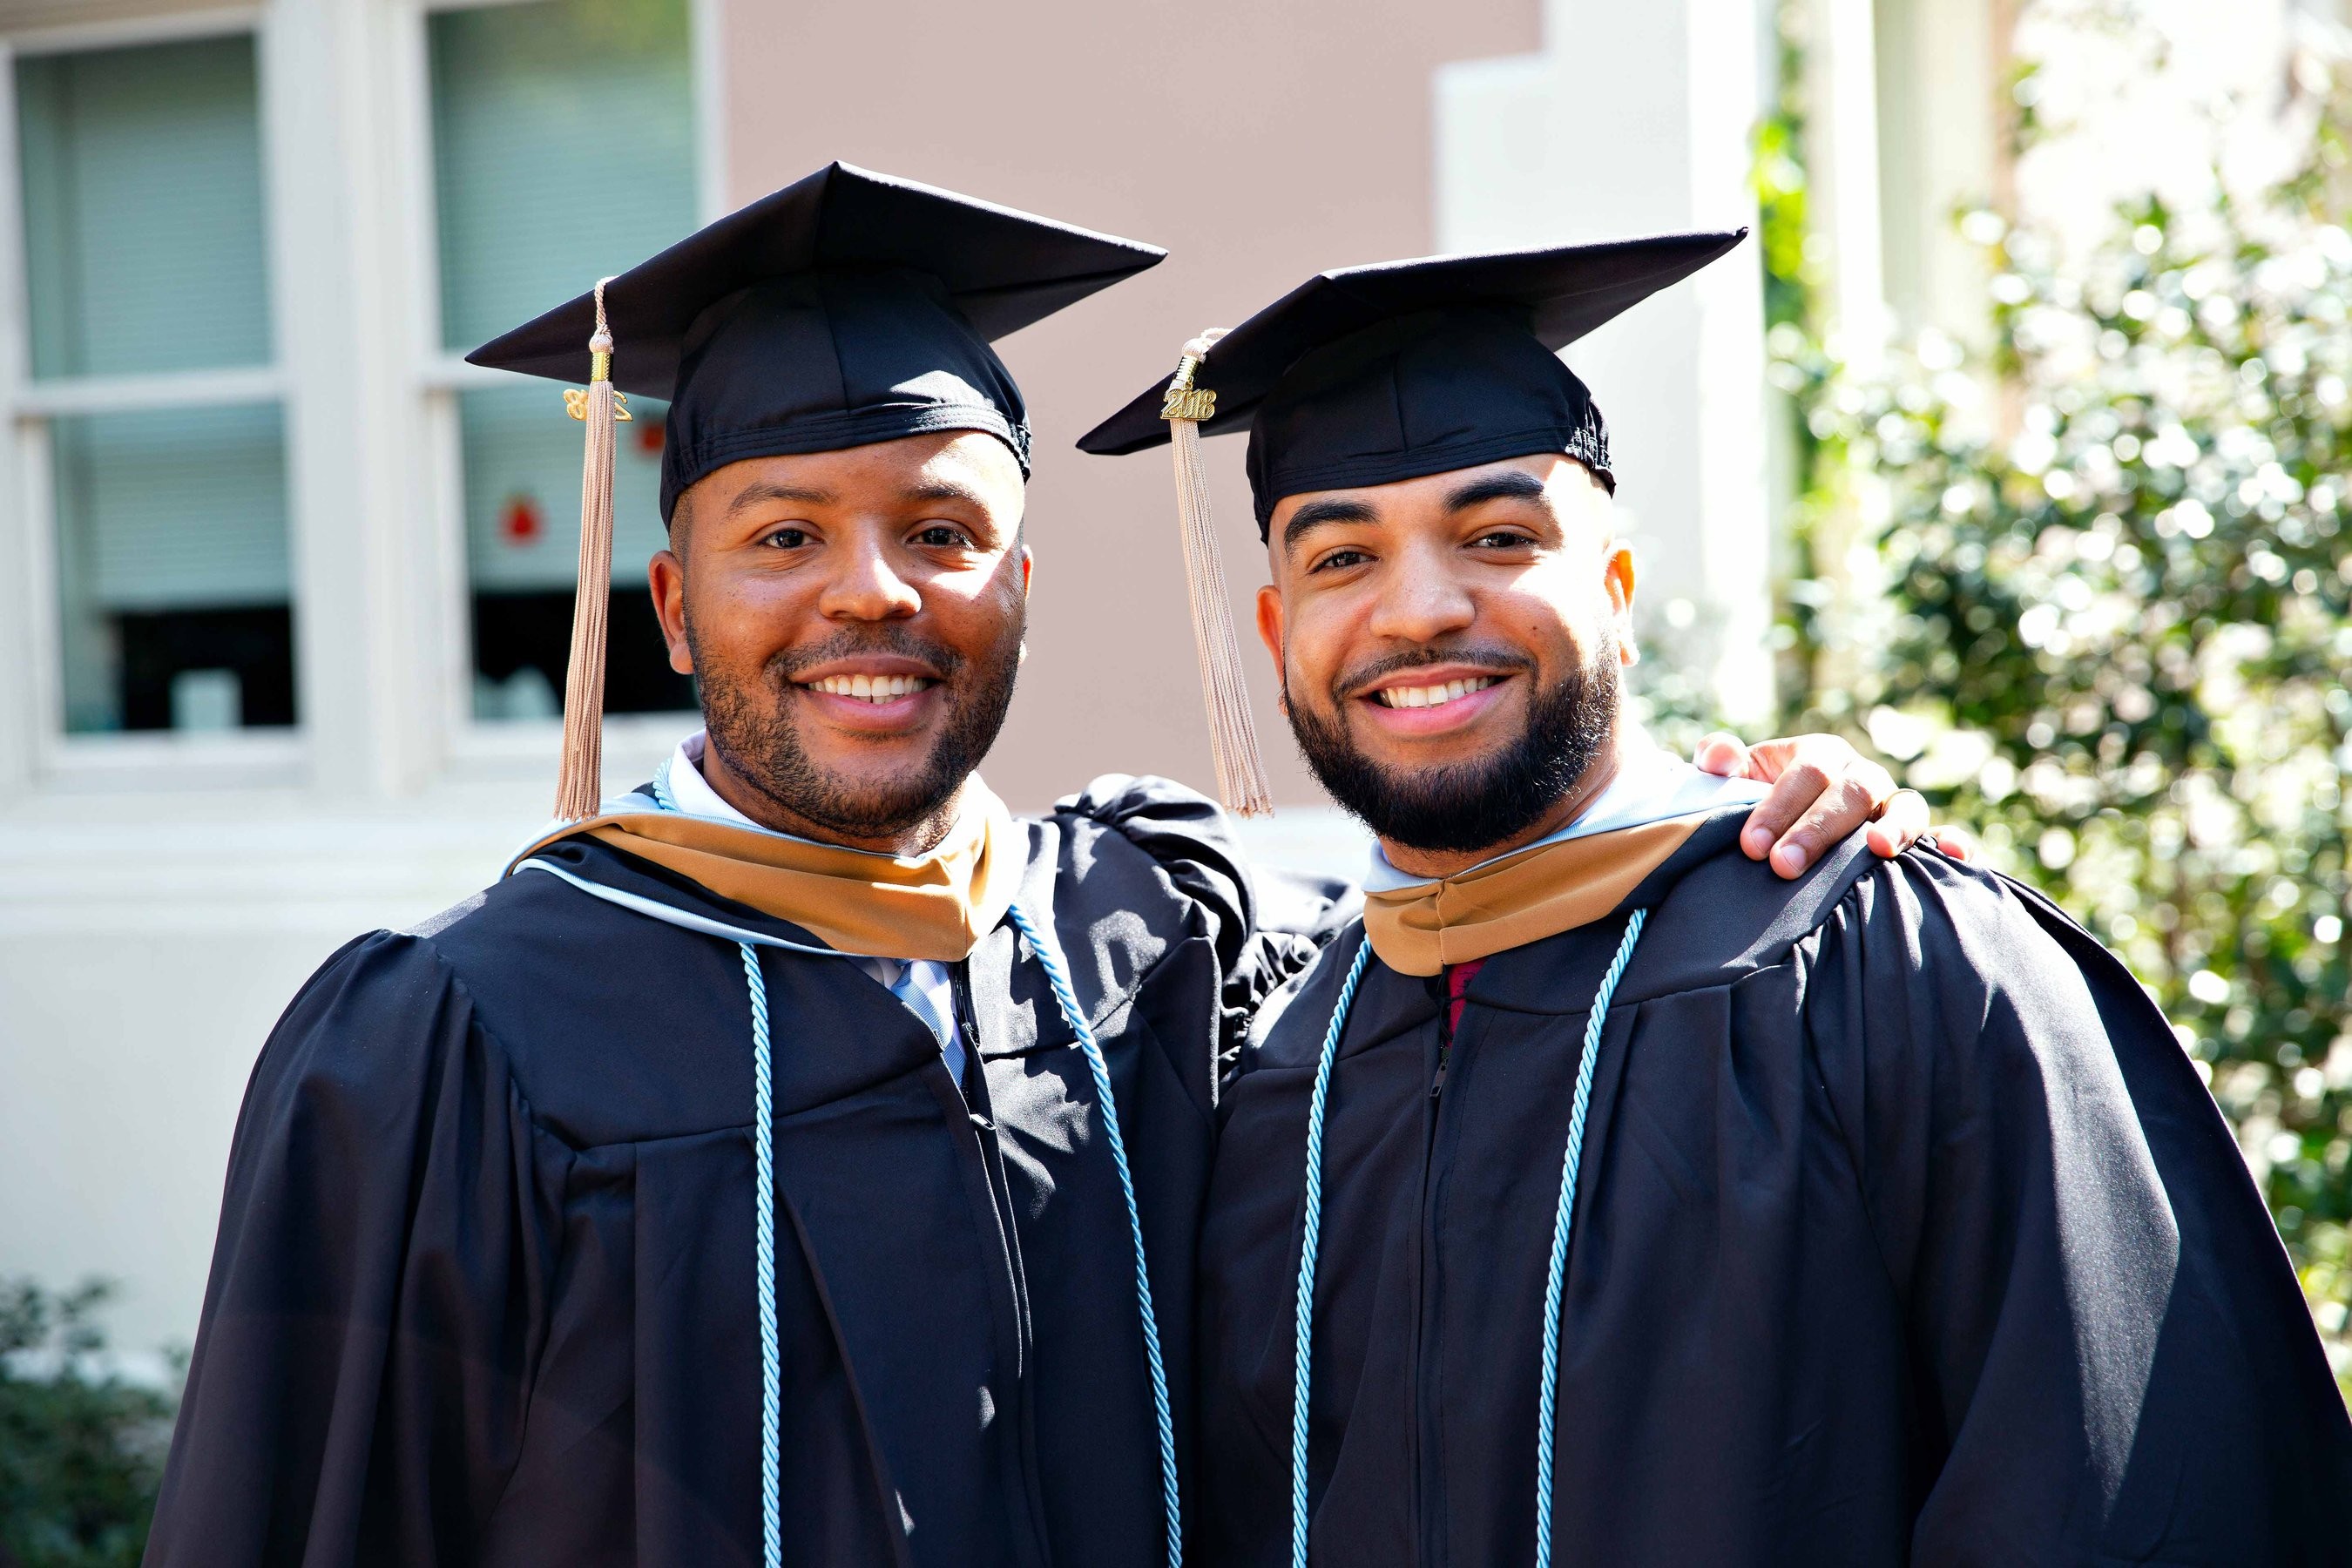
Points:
(486, 1278)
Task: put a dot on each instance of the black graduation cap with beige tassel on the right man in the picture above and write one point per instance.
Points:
(1375, 375)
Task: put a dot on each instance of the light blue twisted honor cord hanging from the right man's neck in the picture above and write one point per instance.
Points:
(1549, 1388)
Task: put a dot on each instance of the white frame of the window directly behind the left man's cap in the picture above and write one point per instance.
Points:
(512, 749)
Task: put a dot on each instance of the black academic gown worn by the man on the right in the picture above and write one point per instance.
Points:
(1906, 1235)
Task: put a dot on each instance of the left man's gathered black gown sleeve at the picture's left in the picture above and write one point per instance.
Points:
(377, 1292)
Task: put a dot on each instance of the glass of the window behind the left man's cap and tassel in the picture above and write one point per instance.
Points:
(563, 149)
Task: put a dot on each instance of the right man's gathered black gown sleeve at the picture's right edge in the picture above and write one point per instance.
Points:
(2111, 1355)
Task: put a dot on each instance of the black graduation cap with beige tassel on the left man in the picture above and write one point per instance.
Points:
(841, 311)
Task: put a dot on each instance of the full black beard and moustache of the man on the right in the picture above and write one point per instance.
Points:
(1471, 805)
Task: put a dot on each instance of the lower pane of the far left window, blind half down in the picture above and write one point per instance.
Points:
(173, 570)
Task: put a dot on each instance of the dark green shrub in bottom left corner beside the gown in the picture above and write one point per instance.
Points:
(81, 1452)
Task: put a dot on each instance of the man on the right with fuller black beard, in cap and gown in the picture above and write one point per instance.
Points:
(1598, 1193)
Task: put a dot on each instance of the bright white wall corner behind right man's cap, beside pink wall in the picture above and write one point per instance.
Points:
(1638, 119)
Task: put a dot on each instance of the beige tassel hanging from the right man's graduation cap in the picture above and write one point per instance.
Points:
(1234, 735)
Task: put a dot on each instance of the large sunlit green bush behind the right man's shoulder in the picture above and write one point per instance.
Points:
(2113, 626)
